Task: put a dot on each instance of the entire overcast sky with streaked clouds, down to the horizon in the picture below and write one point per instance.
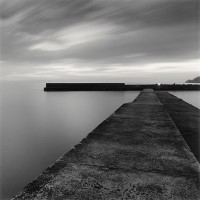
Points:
(138, 41)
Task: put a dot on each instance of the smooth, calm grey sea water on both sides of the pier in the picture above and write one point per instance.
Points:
(38, 127)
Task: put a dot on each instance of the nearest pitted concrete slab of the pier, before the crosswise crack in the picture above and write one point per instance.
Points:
(93, 182)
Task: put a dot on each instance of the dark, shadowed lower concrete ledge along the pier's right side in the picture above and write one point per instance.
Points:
(186, 117)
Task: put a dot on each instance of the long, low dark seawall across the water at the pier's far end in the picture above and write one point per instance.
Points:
(116, 87)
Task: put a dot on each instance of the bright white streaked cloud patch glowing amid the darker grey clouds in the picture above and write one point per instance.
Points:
(74, 36)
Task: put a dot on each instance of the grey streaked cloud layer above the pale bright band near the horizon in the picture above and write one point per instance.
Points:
(99, 31)
